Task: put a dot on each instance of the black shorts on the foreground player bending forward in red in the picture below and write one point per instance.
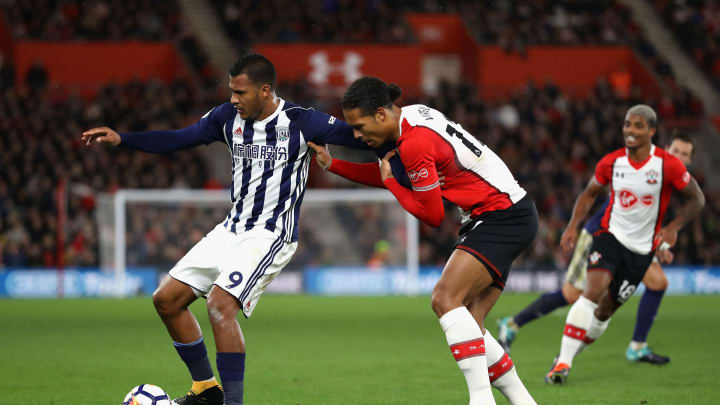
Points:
(496, 238)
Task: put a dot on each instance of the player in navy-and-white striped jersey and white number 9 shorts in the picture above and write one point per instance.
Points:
(233, 263)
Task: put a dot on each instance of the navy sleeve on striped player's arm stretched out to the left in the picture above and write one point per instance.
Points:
(206, 130)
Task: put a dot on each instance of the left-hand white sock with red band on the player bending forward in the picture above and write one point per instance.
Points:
(468, 347)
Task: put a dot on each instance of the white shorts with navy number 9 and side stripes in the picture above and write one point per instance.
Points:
(242, 264)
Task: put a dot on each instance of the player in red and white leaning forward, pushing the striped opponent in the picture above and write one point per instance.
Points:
(499, 220)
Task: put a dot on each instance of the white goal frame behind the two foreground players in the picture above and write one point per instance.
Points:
(114, 243)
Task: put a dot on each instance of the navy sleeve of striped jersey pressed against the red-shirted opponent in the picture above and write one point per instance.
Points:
(323, 128)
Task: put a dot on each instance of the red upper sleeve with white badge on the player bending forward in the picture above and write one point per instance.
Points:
(419, 162)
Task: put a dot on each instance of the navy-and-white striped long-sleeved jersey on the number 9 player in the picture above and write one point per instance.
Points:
(270, 159)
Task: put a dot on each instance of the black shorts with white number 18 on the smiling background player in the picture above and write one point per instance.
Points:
(626, 267)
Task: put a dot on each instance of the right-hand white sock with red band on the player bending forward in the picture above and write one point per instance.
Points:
(502, 374)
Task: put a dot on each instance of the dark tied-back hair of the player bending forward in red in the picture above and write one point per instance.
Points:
(370, 93)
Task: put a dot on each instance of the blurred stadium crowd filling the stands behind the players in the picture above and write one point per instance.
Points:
(550, 140)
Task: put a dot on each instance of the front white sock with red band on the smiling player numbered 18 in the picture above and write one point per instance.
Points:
(577, 324)
